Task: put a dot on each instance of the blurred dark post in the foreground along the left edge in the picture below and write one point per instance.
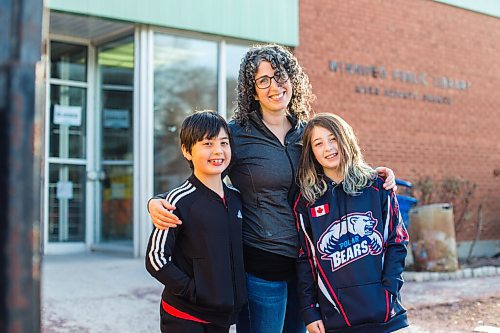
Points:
(20, 161)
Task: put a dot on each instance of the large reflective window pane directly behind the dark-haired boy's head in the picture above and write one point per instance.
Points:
(185, 79)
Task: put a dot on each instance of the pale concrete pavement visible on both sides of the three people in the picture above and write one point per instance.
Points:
(107, 293)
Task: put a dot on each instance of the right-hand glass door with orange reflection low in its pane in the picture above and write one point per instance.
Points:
(115, 82)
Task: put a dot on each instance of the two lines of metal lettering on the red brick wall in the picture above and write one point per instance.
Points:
(409, 81)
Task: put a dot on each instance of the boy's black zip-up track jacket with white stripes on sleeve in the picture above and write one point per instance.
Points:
(201, 261)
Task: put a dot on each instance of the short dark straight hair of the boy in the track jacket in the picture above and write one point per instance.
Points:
(201, 125)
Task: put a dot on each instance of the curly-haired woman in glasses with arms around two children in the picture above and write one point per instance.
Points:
(274, 103)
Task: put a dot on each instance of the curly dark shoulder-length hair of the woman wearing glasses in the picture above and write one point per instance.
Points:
(280, 59)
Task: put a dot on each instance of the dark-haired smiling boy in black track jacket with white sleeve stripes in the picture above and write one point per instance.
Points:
(201, 261)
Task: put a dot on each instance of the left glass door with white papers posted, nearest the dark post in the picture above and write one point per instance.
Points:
(66, 142)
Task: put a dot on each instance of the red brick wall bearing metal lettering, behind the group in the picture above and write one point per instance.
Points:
(420, 83)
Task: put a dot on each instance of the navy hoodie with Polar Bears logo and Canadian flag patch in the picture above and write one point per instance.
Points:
(351, 257)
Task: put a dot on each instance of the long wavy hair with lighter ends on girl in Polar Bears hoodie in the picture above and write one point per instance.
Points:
(357, 174)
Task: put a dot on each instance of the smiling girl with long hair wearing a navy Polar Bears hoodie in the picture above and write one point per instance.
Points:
(352, 238)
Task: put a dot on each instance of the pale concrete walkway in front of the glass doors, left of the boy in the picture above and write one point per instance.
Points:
(98, 293)
